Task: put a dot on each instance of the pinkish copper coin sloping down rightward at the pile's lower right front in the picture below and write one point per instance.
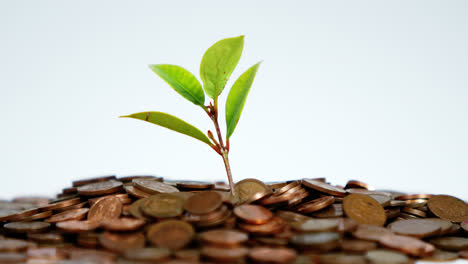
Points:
(408, 245)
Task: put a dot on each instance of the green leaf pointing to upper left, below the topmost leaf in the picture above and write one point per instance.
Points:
(184, 82)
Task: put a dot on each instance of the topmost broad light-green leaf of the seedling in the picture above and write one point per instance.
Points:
(218, 63)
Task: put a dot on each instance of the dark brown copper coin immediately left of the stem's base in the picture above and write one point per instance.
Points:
(203, 202)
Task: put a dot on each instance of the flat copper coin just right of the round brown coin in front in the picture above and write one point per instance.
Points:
(224, 237)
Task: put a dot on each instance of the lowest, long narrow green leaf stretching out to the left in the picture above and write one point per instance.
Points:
(171, 122)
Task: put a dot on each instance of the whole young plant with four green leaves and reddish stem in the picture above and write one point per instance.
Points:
(216, 67)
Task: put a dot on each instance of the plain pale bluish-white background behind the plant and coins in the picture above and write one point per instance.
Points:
(368, 90)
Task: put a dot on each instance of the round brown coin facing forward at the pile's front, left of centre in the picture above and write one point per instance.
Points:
(172, 234)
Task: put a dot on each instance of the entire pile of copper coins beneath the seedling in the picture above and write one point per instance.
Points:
(145, 219)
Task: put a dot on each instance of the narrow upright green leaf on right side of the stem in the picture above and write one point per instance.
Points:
(236, 98)
